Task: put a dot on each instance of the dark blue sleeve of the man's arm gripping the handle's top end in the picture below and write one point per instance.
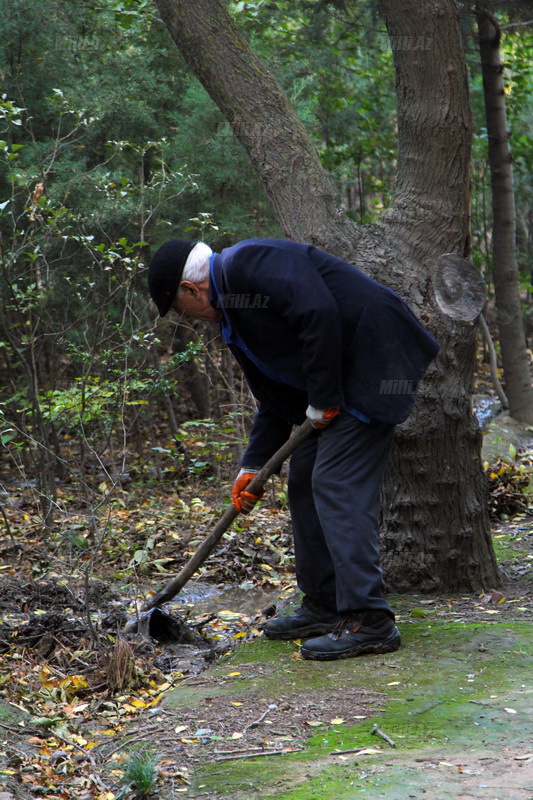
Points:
(299, 295)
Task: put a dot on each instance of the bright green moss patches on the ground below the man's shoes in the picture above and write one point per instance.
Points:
(449, 686)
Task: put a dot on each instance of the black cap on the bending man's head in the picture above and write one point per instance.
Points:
(165, 271)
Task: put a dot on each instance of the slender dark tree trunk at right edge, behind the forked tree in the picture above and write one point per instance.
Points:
(515, 359)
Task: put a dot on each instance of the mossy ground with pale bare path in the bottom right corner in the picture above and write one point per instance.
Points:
(457, 706)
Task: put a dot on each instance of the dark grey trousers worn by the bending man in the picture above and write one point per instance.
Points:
(334, 495)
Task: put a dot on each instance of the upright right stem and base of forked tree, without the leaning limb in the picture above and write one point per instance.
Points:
(436, 524)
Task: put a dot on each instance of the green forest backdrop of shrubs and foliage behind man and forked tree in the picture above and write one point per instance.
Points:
(110, 147)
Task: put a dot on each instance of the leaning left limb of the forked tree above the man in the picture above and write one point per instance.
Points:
(262, 118)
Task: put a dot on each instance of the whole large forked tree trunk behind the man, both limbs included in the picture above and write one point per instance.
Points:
(436, 520)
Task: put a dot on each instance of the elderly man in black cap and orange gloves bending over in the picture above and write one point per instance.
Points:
(315, 337)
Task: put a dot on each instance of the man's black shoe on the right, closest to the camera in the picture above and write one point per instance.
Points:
(357, 633)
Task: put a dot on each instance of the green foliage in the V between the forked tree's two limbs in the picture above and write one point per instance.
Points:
(335, 62)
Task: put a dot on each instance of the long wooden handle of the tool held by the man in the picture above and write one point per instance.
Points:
(210, 542)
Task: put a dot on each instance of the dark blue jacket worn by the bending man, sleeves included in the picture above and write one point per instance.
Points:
(326, 334)
